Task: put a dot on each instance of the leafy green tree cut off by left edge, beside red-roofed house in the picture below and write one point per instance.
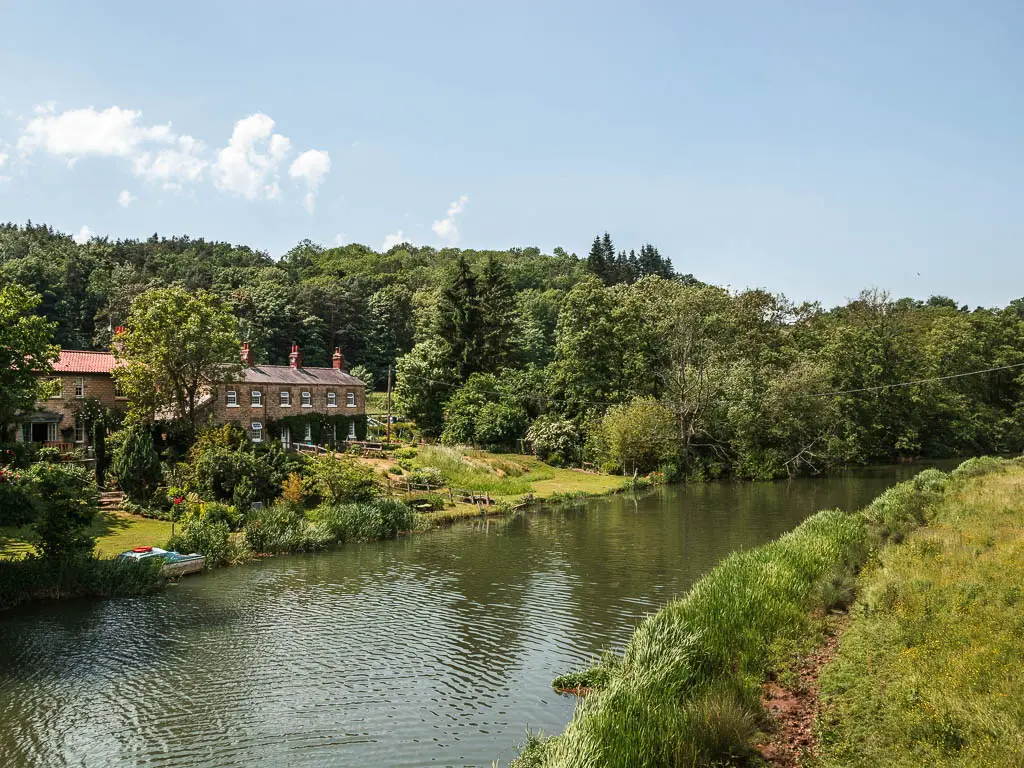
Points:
(27, 351)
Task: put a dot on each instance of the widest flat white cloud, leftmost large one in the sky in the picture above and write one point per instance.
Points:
(77, 134)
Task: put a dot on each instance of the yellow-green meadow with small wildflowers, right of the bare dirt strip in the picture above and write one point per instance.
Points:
(929, 670)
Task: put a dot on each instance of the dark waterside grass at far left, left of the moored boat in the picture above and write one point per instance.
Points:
(33, 578)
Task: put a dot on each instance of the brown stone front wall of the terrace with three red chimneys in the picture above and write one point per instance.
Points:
(245, 414)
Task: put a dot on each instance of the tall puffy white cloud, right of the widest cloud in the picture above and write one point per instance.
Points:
(248, 166)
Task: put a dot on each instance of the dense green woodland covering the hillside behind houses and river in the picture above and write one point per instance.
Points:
(613, 358)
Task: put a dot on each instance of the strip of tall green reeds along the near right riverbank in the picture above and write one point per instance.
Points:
(687, 690)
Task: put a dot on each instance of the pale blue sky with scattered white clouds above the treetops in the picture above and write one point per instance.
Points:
(814, 149)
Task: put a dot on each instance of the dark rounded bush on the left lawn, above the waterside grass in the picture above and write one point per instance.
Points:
(65, 503)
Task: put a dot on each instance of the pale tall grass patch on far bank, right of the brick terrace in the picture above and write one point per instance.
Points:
(475, 471)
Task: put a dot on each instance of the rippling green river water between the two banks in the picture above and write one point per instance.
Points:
(434, 650)
